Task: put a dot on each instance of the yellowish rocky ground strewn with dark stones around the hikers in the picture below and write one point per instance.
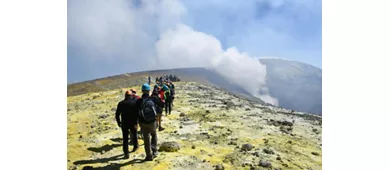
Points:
(208, 129)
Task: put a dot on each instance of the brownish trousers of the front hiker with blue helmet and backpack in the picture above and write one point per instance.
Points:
(147, 131)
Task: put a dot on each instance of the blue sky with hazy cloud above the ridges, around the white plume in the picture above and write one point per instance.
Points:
(288, 29)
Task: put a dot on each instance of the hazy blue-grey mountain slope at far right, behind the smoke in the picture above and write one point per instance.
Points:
(296, 85)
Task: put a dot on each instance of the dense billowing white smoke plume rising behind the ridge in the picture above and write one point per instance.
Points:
(191, 48)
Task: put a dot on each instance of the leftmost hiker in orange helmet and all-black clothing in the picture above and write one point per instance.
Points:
(126, 116)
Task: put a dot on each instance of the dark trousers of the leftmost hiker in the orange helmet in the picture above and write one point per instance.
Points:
(125, 137)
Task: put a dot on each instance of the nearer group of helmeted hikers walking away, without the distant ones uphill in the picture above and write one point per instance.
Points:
(146, 111)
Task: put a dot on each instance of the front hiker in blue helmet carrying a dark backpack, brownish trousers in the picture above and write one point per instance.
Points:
(147, 117)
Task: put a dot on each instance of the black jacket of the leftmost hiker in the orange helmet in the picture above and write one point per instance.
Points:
(127, 111)
